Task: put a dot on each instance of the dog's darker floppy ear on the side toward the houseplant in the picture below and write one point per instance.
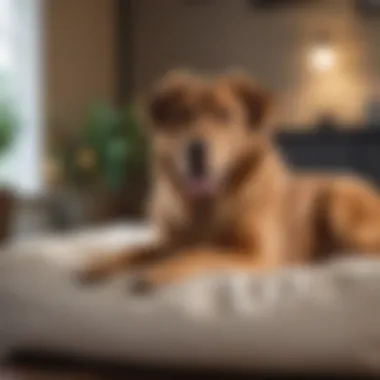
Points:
(164, 105)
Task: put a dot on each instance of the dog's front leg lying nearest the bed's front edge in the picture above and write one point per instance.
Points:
(189, 263)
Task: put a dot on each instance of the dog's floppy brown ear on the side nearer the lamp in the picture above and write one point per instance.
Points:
(256, 101)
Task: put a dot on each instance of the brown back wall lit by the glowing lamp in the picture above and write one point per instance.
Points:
(219, 34)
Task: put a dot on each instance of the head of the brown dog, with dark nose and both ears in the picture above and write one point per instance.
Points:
(201, 129)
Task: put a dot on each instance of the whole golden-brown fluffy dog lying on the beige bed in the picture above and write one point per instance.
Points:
(223, 198)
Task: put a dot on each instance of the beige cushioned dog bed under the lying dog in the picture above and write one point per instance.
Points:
(320, 318)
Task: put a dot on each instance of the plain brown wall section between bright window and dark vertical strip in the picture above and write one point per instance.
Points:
(80, 56)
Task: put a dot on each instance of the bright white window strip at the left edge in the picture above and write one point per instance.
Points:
(21, 81)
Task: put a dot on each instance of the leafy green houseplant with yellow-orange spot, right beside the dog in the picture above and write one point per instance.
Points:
(107, 156)
